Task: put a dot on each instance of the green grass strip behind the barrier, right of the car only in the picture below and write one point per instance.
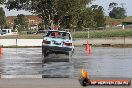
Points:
(104, 34)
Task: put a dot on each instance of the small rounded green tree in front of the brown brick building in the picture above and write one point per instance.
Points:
(21, 23)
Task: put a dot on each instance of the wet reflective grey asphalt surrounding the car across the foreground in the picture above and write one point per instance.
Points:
(104, 62)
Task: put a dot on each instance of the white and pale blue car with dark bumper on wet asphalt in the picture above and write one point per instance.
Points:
(58, 42)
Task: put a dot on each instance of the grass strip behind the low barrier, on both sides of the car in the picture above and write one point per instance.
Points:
(83, 34)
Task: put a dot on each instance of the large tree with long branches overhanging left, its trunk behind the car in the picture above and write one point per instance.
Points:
(45, 9)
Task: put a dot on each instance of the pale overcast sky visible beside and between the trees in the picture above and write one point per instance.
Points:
(104, 3)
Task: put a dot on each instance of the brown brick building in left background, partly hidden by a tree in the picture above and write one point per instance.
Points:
(32, 20)
